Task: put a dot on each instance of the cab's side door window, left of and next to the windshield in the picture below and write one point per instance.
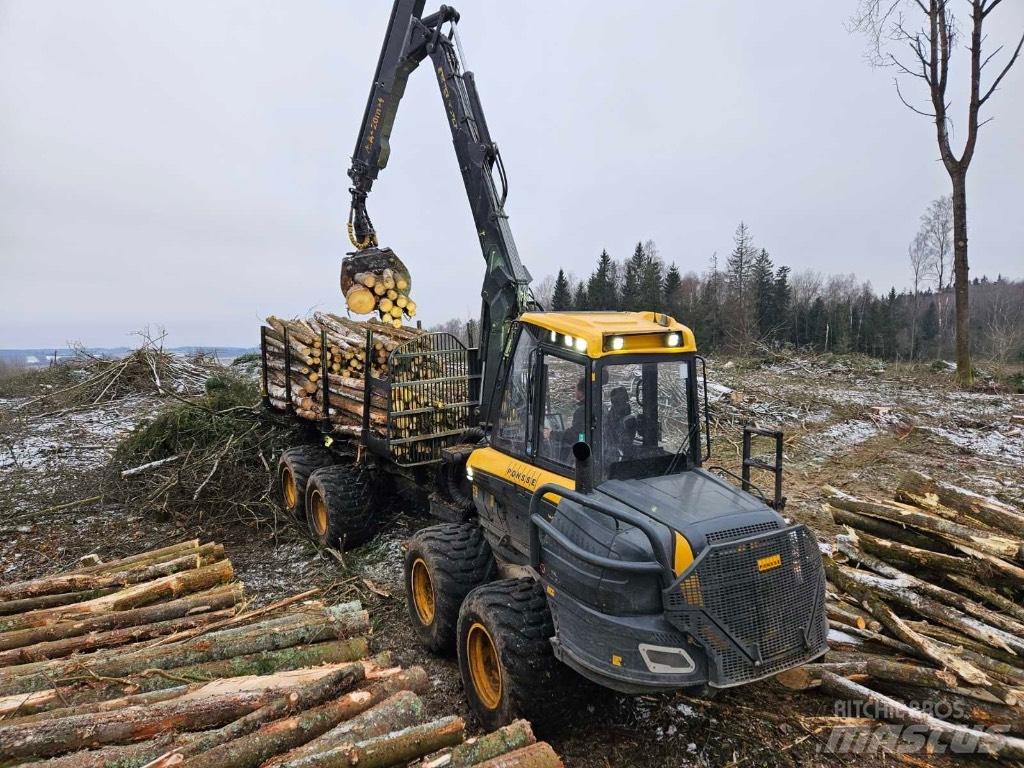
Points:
(564, 394)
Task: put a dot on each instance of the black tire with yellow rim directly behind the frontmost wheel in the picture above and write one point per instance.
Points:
(444, 564)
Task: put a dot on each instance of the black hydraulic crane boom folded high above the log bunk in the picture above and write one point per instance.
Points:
(409, 40)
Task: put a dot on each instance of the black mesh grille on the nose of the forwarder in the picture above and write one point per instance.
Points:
(764, 594)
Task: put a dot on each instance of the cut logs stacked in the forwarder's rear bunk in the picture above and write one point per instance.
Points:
(430, 393)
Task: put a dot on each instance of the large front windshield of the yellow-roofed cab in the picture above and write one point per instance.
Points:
(647, 417)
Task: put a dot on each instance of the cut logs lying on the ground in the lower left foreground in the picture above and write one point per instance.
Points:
(155, 661)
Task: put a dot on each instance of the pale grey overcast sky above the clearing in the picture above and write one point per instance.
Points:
(184, 164)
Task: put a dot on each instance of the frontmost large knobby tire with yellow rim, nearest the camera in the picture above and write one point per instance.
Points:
(505, 658)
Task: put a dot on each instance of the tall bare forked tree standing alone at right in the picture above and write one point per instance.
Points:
(918, 38)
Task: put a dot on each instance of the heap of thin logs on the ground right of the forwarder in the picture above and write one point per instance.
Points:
(925, 613)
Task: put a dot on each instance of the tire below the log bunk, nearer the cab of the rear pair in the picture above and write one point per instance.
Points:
(340, 506)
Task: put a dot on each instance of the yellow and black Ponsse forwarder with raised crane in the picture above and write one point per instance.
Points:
(583, 528)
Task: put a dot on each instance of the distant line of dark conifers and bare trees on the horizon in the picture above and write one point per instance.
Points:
(749, 304)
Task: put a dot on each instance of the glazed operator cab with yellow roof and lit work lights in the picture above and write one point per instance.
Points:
(624, 382)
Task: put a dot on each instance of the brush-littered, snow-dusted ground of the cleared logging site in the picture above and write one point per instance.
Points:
(69, 433)
